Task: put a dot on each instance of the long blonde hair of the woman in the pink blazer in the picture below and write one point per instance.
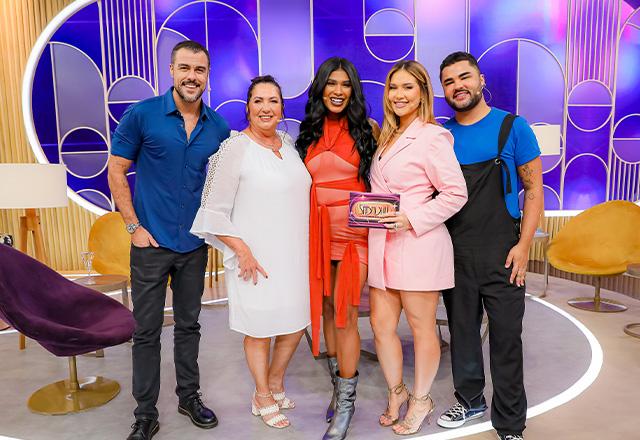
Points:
(425, 109)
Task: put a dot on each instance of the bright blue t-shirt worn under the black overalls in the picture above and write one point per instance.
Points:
(479, 142)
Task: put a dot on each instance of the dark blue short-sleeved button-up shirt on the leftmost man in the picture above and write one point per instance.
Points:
(170, 170)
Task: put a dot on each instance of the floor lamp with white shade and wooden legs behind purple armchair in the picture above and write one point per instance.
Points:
(29, 187)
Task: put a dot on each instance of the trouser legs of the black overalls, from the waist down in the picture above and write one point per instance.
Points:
(482, 280)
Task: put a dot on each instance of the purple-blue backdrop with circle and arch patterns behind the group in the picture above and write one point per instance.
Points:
(571, 67)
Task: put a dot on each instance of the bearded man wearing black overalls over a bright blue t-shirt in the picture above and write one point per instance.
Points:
(491, 249)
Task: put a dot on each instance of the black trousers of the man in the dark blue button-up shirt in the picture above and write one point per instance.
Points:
(150, 270)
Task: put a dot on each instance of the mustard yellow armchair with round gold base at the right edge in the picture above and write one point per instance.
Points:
(600, 241)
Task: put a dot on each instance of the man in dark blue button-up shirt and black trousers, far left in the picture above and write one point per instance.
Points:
(170, 139)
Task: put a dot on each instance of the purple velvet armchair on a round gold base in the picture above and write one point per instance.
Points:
(66, 319)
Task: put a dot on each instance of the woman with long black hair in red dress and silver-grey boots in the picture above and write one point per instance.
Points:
(337, 143)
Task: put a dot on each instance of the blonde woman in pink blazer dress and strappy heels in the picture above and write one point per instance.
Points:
(411, 260)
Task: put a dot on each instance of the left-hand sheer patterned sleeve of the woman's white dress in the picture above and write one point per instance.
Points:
(219, 193)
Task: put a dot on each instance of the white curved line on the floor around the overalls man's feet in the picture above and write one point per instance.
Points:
(565, 396)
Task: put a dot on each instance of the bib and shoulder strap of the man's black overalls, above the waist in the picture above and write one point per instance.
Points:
(485, 220)
